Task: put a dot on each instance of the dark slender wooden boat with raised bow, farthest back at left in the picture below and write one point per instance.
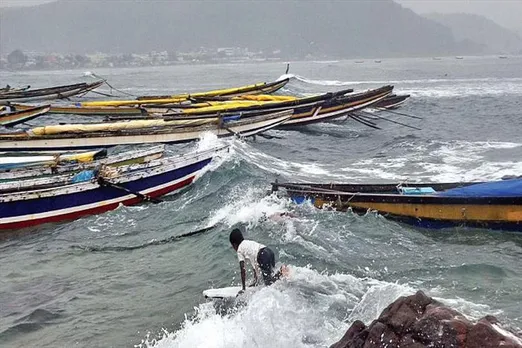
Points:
(51, 93)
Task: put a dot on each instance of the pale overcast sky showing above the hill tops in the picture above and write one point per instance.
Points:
(507, 13)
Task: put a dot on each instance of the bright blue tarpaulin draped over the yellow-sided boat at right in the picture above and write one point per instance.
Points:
(504, 188)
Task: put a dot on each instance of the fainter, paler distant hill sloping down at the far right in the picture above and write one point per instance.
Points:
(493, 37)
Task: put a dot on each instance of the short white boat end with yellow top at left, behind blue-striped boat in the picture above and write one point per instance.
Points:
(21, 161)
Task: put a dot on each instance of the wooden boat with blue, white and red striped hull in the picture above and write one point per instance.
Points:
(102, 193)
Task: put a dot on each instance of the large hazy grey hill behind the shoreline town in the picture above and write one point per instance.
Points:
(297, 28)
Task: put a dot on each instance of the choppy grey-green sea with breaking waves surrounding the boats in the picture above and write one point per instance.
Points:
(79, 284)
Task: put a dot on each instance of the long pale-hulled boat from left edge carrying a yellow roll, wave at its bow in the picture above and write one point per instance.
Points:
(103, 135)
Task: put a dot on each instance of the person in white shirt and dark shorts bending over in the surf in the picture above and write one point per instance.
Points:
(261, 258)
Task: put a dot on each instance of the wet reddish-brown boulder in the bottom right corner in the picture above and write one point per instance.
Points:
(419, 321)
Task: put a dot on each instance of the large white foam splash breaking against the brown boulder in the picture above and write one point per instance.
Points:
(306, 311)
